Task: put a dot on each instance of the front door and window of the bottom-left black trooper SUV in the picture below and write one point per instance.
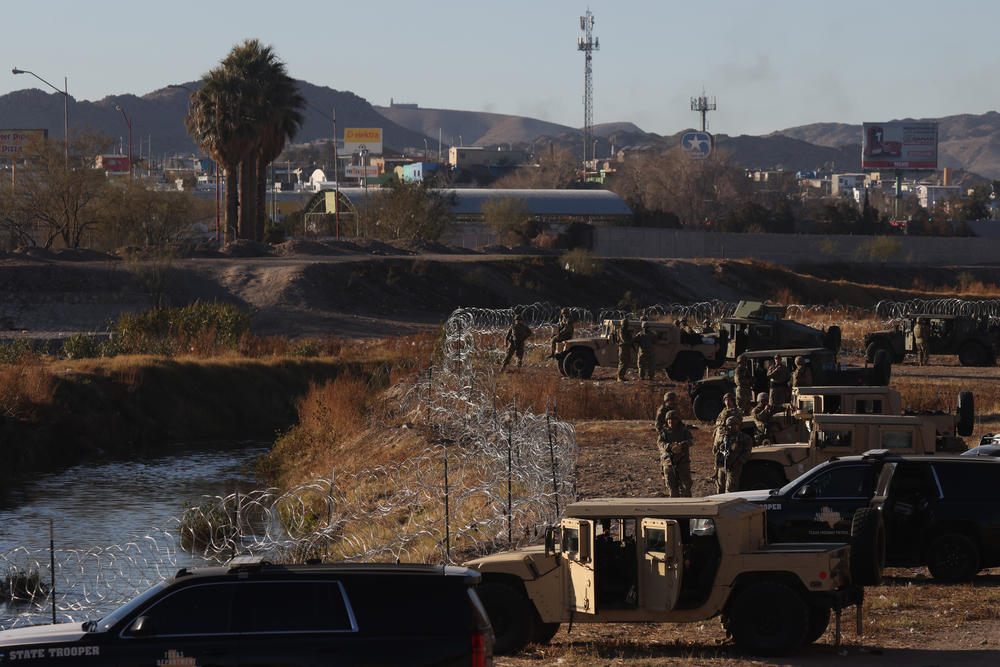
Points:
(190, 625)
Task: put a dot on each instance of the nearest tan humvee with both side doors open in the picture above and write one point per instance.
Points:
(668, 560)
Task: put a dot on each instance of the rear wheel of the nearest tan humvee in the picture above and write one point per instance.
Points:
(768, 618)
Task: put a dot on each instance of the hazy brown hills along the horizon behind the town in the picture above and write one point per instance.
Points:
(967, 141)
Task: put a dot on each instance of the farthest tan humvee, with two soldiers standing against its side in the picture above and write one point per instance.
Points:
(683, 355)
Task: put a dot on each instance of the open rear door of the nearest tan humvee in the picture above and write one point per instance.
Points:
(661, 566)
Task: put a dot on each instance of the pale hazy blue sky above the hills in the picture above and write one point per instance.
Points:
(771, 64)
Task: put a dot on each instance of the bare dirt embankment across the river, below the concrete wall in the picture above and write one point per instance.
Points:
(361, 291)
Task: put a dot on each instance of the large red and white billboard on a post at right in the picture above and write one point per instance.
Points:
(899, 145)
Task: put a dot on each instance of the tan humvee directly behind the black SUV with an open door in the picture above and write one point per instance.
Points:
(771, 466)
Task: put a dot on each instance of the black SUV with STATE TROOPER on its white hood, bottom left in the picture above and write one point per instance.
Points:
(255, 613)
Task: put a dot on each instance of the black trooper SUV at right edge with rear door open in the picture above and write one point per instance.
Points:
(939, 511)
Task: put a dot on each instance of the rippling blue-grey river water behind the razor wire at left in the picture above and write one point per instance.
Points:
(98, 507)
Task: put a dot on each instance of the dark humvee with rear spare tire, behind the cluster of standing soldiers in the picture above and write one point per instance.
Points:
(706, 395)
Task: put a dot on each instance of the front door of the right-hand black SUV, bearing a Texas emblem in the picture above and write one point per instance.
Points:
(821, 508)
